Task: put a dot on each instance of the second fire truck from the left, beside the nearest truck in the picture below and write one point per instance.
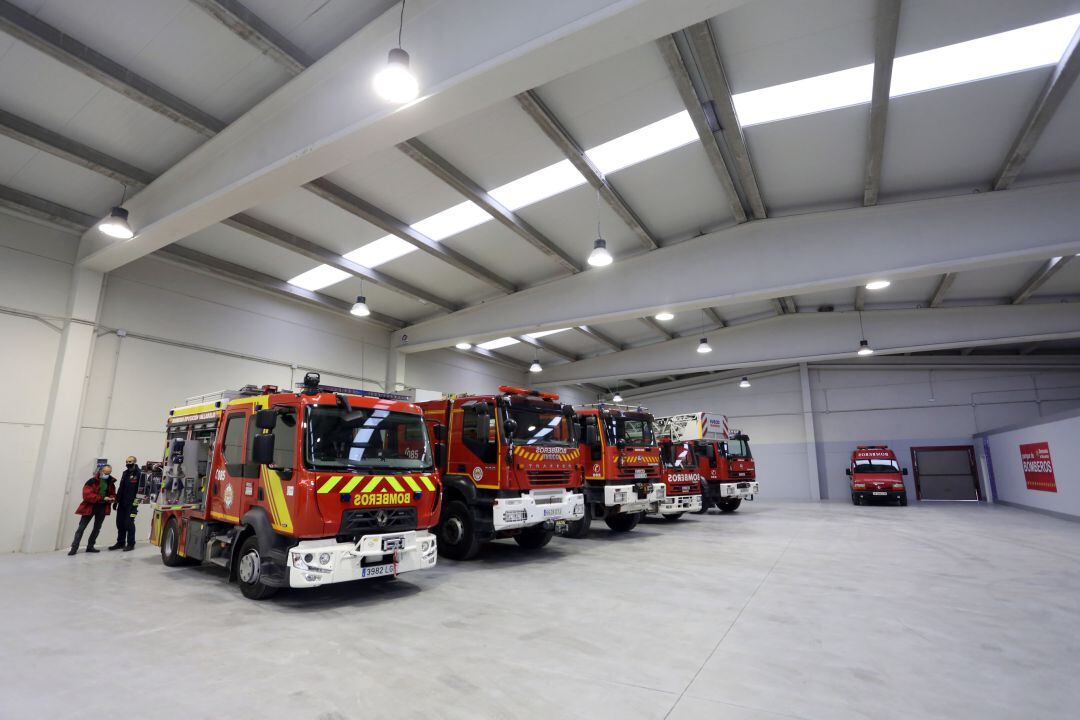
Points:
(510, 467)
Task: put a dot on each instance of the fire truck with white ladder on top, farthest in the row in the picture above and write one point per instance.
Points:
(724, 458)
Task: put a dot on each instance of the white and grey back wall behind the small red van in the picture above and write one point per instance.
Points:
(856, 406)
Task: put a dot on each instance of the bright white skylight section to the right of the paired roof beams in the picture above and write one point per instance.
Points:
(1014, 51)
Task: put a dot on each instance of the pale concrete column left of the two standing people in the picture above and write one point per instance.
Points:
(64, 415)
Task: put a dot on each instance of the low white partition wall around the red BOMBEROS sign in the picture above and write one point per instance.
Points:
(1061, 436)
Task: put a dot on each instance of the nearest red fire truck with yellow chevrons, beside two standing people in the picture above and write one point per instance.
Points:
(298, 490)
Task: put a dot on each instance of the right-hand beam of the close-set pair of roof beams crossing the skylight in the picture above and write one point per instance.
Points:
(707, 51)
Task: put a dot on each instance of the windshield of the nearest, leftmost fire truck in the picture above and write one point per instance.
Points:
(366, 439)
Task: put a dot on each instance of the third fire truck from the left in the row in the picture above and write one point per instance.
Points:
(622, 463)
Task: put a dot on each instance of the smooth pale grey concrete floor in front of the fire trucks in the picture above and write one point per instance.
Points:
(785, 610)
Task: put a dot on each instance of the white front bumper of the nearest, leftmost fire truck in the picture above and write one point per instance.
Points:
(374, 556)
